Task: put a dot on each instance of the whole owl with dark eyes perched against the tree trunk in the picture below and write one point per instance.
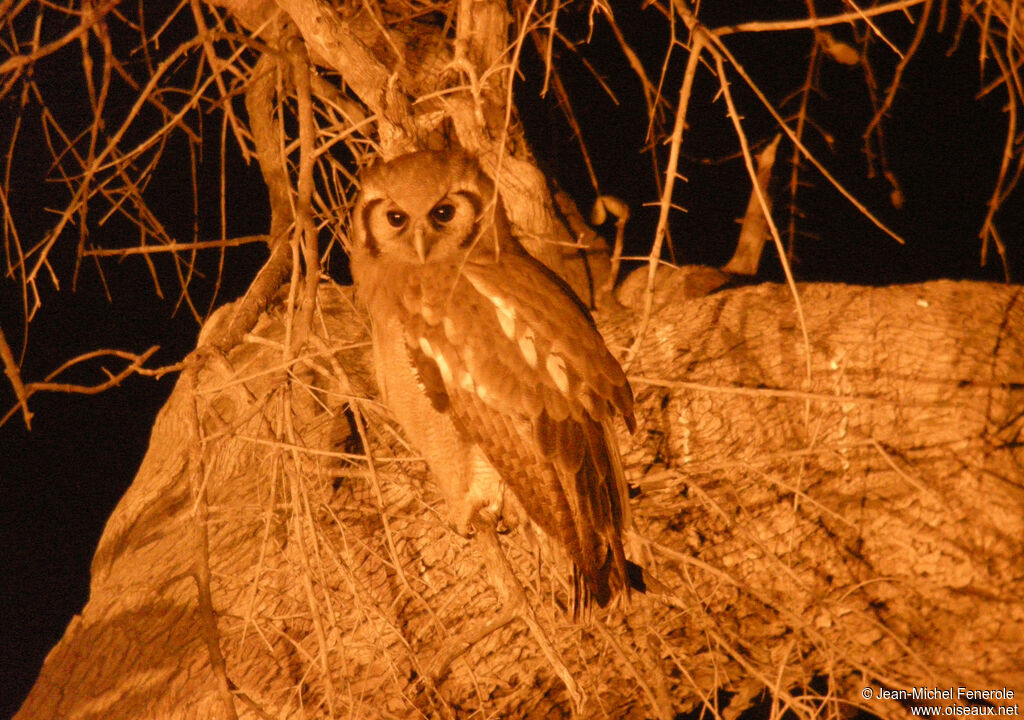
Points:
(492, 366)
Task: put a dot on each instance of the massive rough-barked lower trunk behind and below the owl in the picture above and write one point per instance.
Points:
(804, 534)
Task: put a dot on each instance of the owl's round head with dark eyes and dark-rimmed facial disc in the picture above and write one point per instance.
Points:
(430, 207)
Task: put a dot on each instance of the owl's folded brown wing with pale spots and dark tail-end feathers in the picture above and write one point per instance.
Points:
(519, 363)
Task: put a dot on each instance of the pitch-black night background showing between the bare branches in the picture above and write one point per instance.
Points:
(61, 483)
